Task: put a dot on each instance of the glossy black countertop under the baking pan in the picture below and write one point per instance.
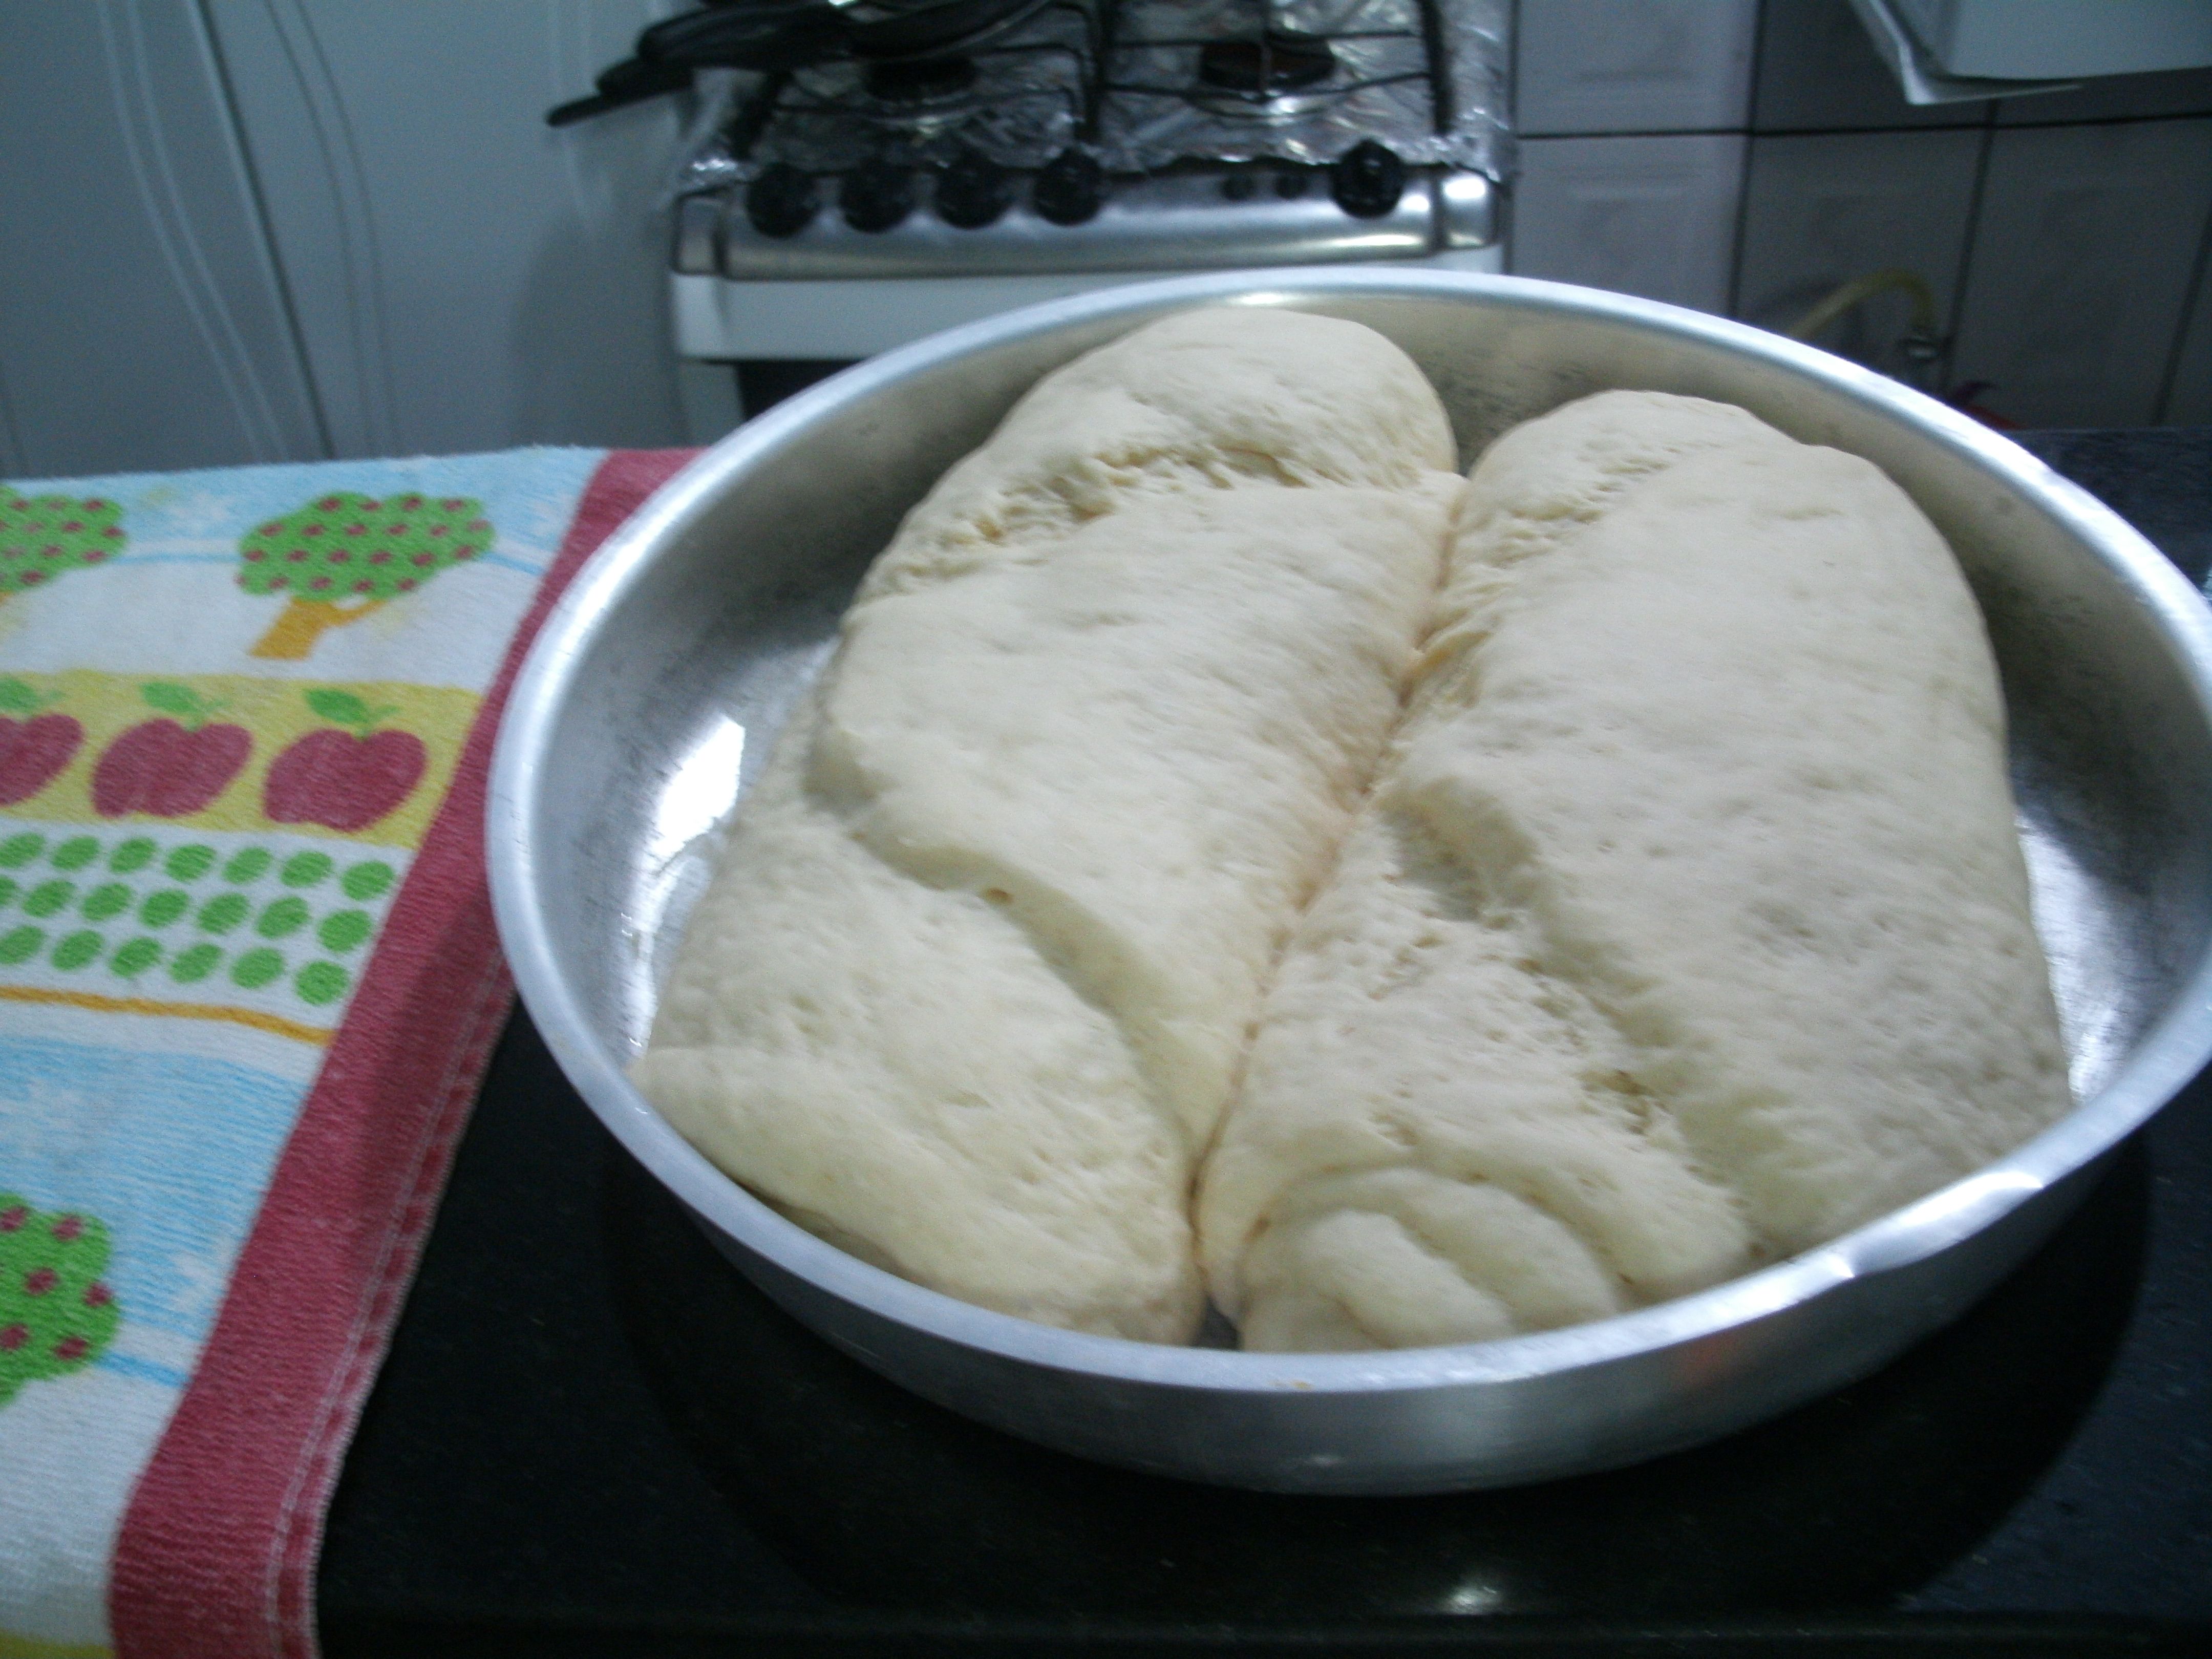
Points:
(594, 1437)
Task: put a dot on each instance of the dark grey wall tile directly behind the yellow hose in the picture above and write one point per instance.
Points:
(1828, 207)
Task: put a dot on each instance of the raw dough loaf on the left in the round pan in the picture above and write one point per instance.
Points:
(988, 941)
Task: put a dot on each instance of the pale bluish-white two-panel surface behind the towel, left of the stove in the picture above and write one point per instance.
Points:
(293, 229)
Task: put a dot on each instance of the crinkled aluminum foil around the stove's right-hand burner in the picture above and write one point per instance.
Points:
(1384, 85)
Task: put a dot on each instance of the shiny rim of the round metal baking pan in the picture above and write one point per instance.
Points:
(2162, 1063)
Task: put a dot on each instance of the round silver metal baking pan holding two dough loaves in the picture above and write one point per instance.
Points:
(658, 687)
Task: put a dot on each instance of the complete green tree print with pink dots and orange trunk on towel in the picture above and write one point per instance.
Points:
(342, 556)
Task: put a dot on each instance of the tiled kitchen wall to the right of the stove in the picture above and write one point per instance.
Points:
(1684, 154)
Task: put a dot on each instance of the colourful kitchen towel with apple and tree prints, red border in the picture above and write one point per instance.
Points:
(249, 983)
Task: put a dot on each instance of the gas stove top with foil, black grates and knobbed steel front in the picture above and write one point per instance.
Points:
(1112, 136)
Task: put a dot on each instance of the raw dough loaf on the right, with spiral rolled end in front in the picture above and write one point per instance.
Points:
(1687, 926)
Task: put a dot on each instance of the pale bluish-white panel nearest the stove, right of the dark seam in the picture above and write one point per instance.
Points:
(466, 278)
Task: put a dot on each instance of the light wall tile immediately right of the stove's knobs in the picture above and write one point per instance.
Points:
(1642, 216)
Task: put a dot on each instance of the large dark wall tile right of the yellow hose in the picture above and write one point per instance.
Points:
(2083, 267)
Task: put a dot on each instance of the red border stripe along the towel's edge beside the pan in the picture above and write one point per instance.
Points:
(220, 1545)
